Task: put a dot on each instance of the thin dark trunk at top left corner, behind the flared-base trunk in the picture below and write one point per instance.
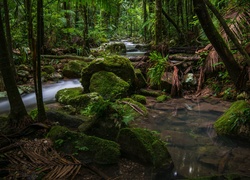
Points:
(8, 36)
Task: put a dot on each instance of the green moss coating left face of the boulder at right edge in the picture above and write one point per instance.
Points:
(225, 124)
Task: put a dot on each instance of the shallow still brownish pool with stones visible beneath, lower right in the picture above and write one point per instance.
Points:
(196, 150)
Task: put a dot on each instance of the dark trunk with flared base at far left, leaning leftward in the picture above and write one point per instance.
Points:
(18, 111)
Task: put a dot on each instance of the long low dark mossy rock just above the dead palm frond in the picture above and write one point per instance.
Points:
(85, 148)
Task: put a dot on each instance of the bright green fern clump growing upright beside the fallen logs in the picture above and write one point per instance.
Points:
(158, 68)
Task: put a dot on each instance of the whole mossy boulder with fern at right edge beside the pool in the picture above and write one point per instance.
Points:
(235, 121)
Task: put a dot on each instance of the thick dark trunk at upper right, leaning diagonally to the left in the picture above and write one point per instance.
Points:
(216, 40)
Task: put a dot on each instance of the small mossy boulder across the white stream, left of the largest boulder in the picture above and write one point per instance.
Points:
(73, 69)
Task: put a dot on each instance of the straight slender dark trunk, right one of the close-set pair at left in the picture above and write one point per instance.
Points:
(40, 106)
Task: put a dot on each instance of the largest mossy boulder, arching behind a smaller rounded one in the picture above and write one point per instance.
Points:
(118, 65)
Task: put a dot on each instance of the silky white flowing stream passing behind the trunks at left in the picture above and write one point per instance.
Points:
(49, 92)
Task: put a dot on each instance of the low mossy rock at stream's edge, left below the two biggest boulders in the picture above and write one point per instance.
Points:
(76, 98)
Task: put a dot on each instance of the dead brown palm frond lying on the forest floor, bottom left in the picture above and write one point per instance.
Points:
(37, 157)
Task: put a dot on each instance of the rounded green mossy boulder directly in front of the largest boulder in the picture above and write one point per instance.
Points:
(108, 85)
